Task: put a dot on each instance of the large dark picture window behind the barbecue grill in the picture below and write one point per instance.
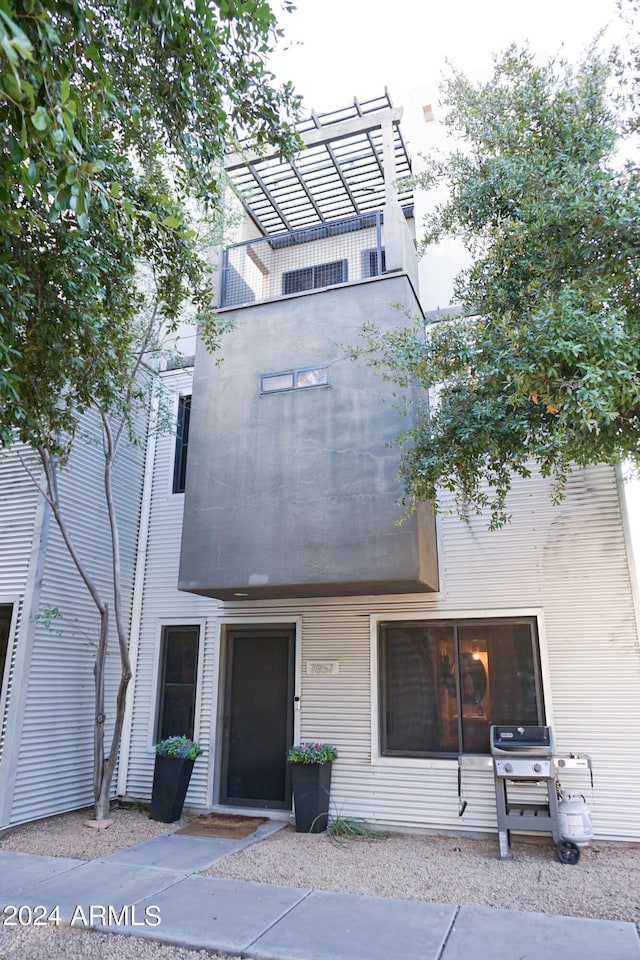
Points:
(443, 683)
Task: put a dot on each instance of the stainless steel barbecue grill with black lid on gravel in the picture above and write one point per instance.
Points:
(523, 757)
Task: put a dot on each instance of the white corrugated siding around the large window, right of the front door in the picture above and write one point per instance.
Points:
(567, 561)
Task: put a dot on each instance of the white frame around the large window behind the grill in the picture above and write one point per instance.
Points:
(430, 760)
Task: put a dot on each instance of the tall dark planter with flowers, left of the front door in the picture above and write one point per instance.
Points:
(175, 757)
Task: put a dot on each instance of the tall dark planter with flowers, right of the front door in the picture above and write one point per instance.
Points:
(311, 779)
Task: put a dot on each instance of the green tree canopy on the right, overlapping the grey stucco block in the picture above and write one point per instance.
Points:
(542, 363)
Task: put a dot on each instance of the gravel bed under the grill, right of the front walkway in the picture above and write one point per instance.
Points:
(605, 883)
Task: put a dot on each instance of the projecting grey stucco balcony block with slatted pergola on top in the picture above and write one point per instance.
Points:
(292, 487)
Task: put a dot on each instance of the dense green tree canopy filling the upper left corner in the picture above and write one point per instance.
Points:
(113, 113)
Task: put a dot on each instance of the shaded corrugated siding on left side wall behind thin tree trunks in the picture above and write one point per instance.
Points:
(54, 765)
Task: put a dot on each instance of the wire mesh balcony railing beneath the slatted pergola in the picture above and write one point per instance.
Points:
(325, 255)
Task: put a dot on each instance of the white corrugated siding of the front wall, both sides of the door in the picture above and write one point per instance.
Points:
(567, 562)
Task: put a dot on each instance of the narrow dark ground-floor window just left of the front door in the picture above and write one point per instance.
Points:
(179, 667)
